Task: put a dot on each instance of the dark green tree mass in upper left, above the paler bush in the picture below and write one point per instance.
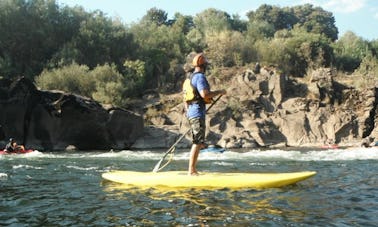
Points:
(38, 34)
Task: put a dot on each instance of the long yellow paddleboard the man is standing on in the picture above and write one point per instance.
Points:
(180, 179)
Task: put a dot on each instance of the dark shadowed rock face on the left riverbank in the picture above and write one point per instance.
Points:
(53, 120)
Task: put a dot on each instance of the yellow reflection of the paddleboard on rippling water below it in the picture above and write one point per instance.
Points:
(218, 207)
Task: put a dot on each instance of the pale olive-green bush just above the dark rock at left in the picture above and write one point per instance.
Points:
(104, 83)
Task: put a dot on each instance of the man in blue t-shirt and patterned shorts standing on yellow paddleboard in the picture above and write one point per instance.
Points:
(196, 108)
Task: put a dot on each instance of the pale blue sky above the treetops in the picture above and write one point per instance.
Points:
(358, 16)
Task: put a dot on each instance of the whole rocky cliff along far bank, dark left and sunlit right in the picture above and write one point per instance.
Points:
(264, 109)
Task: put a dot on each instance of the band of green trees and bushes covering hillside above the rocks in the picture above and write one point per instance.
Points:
(87, 53)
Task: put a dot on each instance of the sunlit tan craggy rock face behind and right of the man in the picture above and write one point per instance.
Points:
(269, 109)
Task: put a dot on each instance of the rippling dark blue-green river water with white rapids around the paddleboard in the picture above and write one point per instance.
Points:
(66, 189)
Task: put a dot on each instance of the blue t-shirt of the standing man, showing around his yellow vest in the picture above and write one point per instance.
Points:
(198, 109)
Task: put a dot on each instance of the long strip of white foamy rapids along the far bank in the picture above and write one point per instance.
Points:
(228, 155)
